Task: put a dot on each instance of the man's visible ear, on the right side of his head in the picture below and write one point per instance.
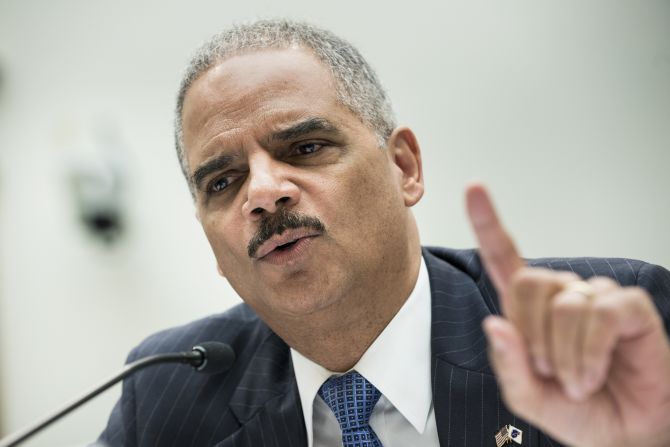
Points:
(406, 155)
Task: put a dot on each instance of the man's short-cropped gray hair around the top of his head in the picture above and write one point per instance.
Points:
(356, 83)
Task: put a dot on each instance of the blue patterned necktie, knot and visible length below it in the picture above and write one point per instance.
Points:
(352, 399)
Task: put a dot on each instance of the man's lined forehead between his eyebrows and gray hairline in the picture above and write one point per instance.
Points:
(253, 92)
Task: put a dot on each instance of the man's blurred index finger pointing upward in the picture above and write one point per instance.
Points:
(496, 247)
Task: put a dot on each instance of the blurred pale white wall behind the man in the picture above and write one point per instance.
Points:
(563, 108)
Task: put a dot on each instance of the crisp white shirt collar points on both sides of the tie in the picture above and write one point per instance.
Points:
(397, 363)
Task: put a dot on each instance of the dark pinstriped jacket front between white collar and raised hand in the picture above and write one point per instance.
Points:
(466, 399)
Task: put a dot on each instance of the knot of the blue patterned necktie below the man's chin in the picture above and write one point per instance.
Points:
(351, 398)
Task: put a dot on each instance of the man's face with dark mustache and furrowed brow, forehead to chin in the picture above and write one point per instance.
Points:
(300, 205)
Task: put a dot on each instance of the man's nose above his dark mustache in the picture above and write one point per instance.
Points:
(269, 187)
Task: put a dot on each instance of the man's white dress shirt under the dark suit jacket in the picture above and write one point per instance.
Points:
(398, 365)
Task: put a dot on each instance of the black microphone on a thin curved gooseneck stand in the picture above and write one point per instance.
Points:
(210, 357)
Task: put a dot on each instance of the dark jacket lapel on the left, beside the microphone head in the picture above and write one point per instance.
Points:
(266, 401)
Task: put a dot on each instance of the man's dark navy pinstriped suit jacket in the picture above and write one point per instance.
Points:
(256, 403)
